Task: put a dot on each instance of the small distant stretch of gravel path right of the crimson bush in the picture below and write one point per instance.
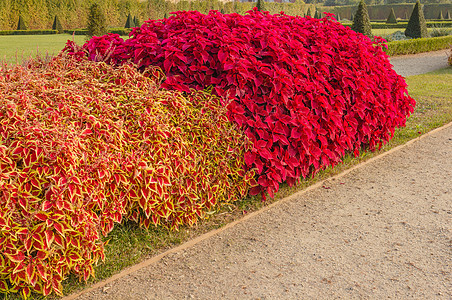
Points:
(408, 65)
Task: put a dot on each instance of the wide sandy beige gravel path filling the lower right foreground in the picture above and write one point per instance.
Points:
(381, 230)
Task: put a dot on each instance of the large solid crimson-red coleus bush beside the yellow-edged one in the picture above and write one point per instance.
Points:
(304, 90)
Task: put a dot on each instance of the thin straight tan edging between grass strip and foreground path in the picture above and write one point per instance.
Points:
(214, 232)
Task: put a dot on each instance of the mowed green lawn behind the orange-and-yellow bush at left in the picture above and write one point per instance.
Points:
(16, 48)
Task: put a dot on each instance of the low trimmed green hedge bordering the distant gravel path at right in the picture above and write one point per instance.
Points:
(414, 46)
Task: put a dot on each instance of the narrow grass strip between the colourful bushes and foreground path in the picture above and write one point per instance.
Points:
(129, 244)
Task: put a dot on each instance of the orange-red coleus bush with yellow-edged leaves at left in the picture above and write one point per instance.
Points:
(83, 145)
